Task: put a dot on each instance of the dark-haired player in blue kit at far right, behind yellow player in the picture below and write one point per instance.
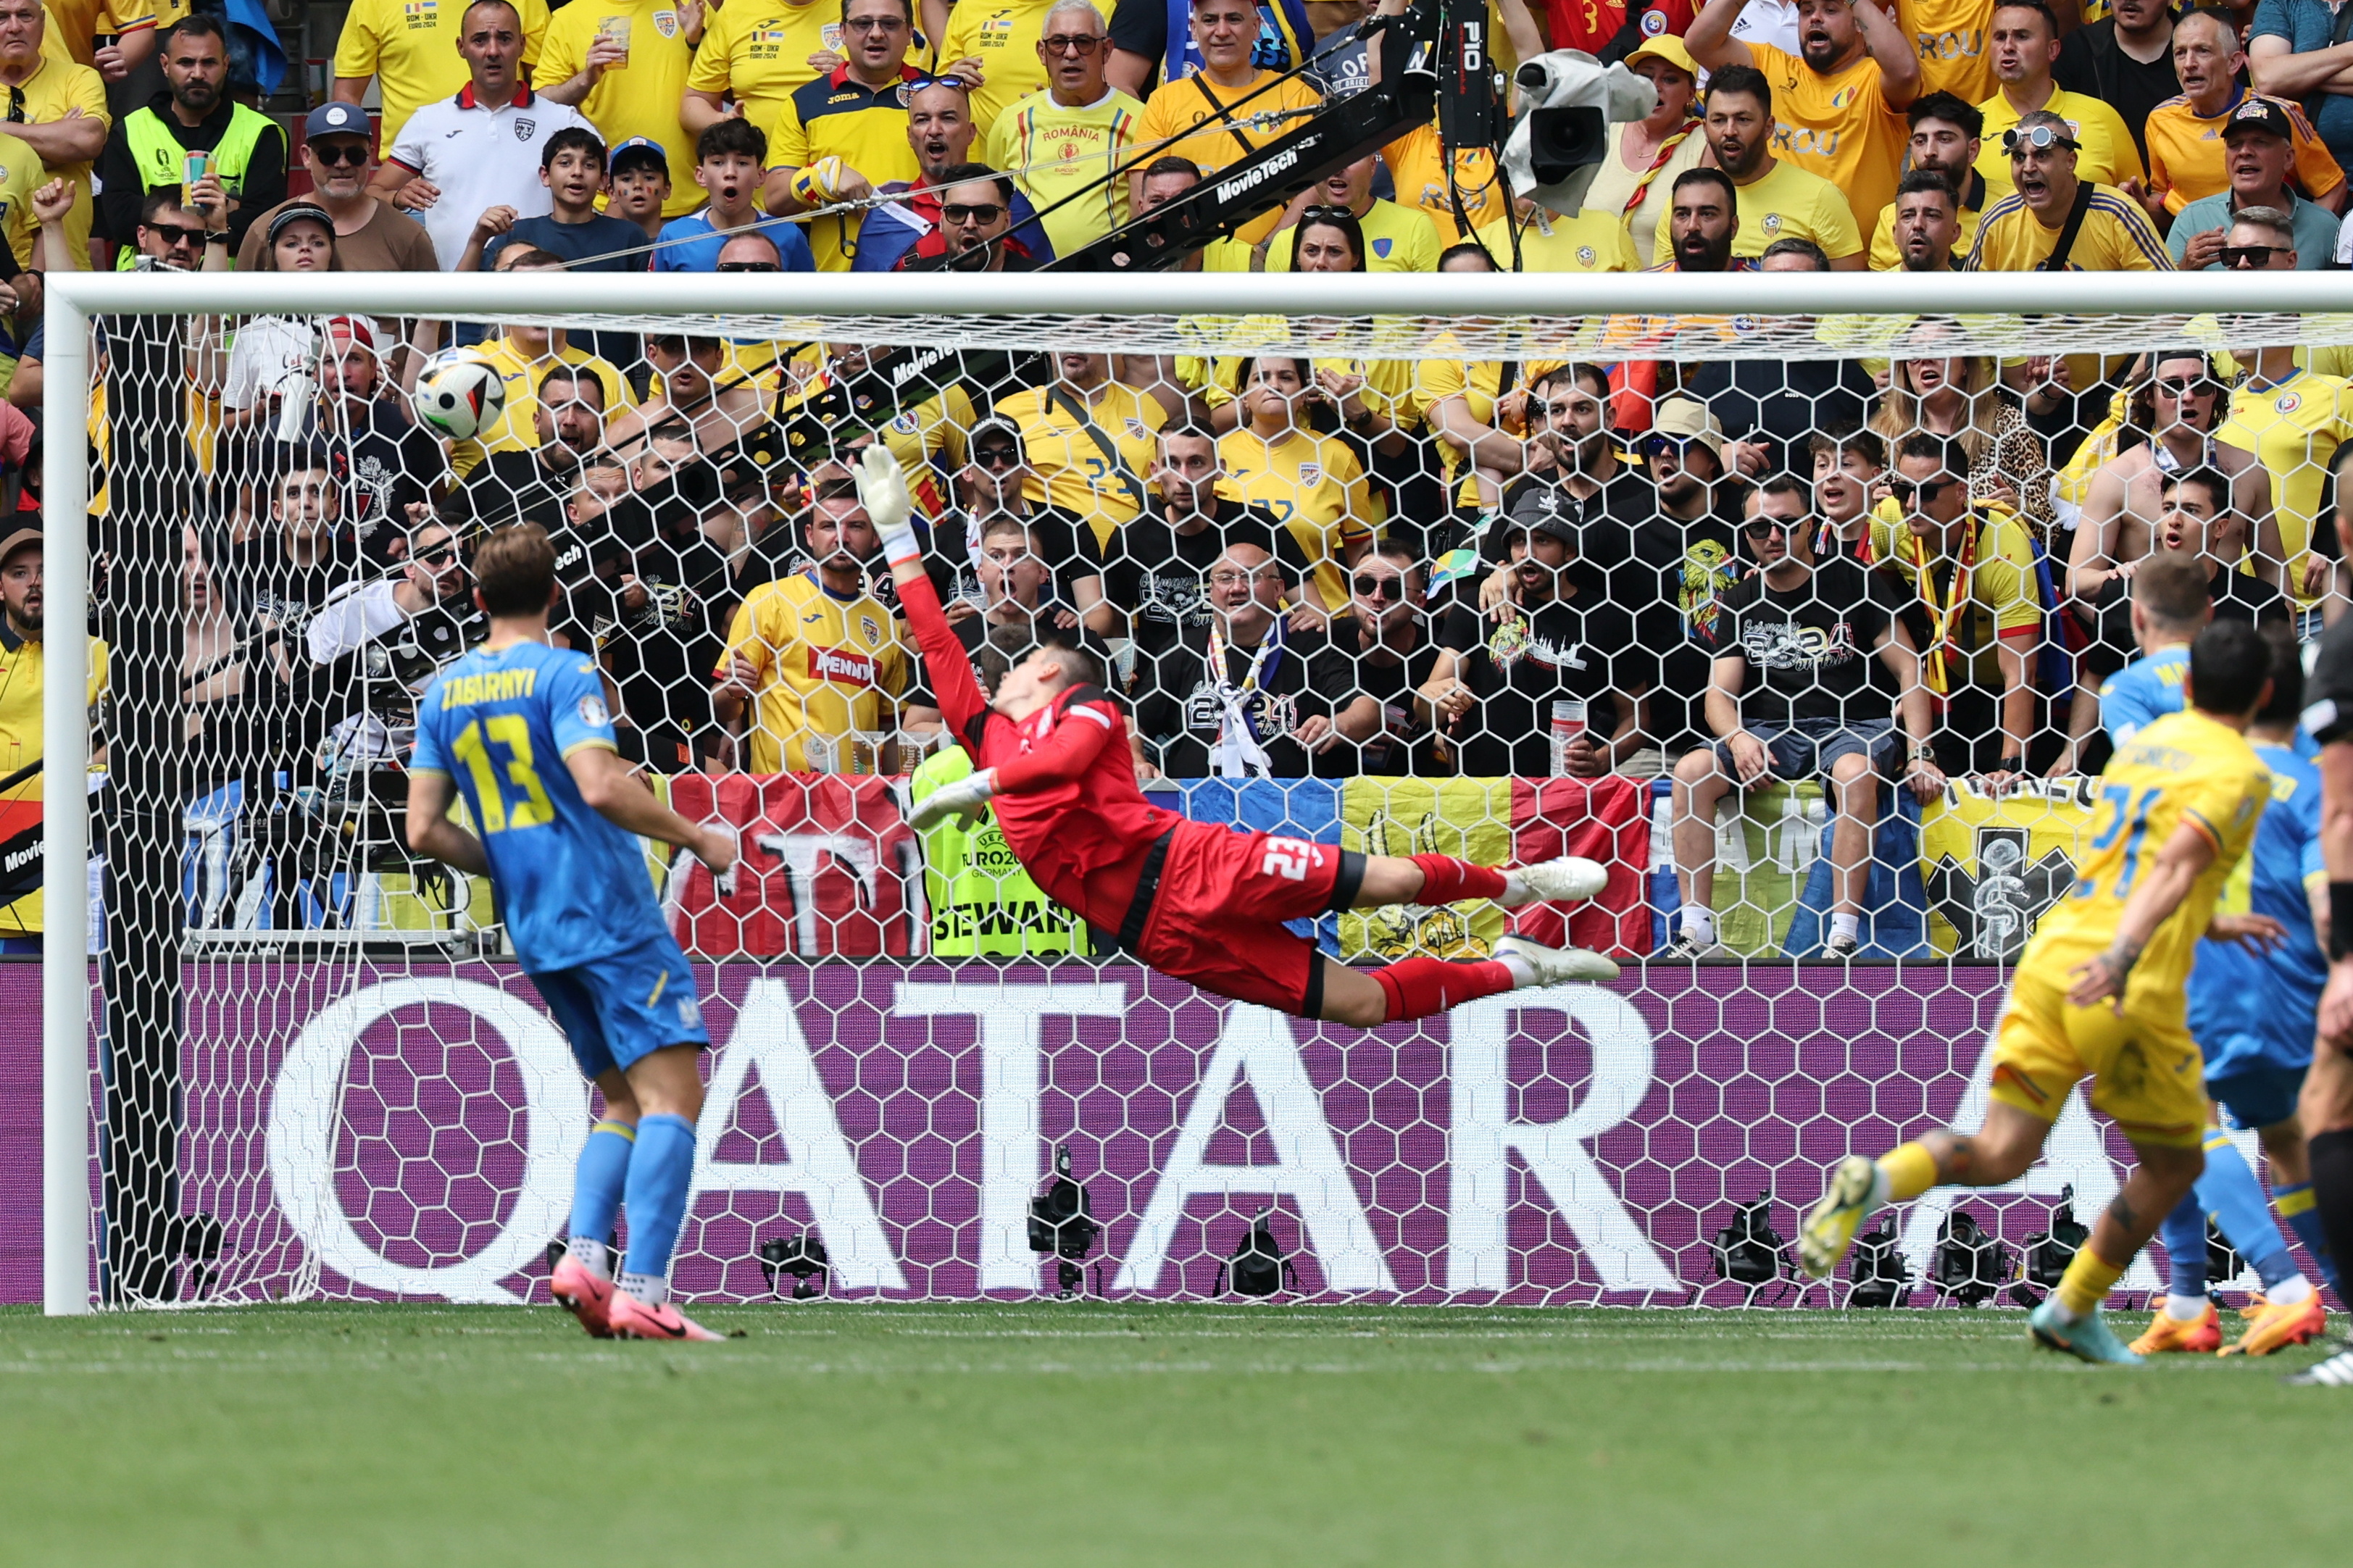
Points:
(2253, 1018)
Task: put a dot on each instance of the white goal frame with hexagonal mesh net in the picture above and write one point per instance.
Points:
(1792, 616)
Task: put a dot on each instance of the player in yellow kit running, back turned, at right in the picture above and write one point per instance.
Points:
(2100, 992)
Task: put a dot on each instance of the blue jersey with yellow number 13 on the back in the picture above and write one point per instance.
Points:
(571, 886)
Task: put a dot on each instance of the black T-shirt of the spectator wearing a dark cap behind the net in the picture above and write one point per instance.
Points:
(1575, 649)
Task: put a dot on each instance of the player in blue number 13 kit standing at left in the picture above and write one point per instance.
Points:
(521, 731)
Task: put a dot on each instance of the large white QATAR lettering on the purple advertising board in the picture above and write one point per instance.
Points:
(768, 1054)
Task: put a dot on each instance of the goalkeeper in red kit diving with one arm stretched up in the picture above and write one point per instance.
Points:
(1194, 901)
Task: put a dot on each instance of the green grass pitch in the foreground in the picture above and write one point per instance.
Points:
(1145, 1435)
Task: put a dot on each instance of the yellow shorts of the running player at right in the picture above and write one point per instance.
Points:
(2145, 1072)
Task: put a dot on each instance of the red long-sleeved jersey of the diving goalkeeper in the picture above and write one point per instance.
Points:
(1067, 785)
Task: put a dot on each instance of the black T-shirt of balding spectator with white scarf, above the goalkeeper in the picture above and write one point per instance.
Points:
(1180, 712)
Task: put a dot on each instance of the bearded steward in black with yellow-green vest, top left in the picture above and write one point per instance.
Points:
(149, 147)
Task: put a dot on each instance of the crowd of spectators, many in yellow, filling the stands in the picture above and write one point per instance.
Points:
(1872, 571)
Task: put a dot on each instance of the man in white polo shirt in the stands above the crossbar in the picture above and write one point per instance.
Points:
(462, 157)
